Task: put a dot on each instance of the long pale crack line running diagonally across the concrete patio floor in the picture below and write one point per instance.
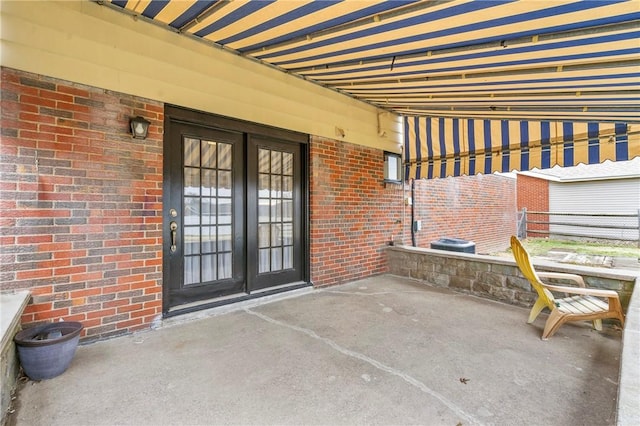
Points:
(377, 364)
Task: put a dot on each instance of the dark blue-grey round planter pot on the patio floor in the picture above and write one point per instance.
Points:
(46, 351)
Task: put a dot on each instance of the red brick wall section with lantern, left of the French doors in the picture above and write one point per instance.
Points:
(81, 204)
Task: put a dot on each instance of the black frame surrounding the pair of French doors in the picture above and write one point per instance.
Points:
(178, 115)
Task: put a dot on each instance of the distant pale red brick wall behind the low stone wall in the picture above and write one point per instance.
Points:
(478, 208)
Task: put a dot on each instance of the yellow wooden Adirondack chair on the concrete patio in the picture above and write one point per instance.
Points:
(584, 304)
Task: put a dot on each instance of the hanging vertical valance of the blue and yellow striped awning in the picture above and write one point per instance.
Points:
(441, 147)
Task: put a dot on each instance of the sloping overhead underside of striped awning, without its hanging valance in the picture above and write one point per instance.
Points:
(542, 60)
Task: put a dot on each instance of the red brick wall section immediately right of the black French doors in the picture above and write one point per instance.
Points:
(353, 214)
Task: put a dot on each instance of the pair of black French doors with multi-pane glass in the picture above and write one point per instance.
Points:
(234, 212)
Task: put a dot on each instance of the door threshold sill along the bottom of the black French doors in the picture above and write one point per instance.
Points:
(232, 300)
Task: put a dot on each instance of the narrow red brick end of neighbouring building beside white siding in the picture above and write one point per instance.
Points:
(533, 194)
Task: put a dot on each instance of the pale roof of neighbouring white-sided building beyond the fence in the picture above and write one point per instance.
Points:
(584, 172)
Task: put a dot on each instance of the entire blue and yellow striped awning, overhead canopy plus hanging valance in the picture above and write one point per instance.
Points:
(485, 85)
